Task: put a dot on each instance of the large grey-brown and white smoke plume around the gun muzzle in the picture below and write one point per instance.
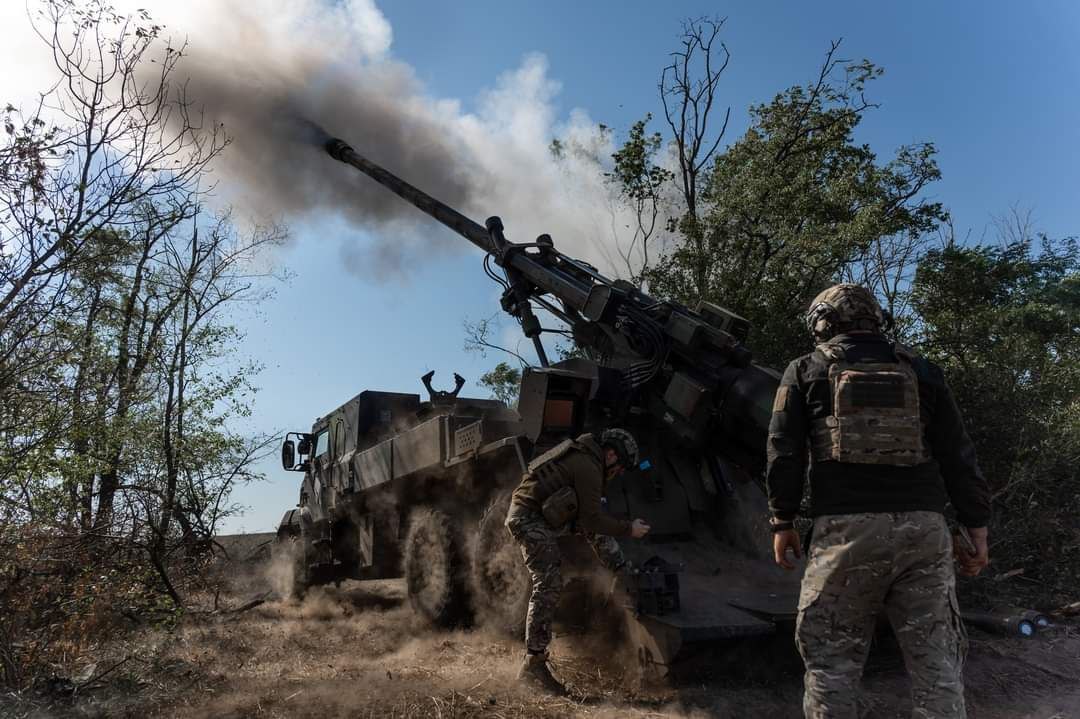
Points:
(265, 70)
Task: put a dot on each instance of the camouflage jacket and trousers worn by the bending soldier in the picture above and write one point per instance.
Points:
(577, 465)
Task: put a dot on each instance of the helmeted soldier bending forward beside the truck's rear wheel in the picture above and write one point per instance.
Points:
(563, 486)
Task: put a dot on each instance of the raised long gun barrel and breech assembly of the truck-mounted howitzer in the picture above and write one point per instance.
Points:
(690, 370)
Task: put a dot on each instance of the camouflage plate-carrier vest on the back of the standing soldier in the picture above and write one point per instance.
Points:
(875, 416)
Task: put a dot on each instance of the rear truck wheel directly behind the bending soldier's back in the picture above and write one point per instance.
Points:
(502, 584)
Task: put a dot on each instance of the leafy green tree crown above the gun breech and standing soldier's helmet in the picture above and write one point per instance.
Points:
(792, 205)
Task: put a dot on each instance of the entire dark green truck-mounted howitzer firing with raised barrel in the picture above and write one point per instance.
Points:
(395, 486)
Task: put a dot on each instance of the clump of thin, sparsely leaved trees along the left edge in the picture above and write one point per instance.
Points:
(118, 375)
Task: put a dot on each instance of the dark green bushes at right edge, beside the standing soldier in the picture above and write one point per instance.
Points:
(1005, 323)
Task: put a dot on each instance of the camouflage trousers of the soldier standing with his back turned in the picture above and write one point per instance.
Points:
(863, 564)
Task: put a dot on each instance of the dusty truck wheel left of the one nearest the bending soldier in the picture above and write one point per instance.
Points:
(437, 567)
